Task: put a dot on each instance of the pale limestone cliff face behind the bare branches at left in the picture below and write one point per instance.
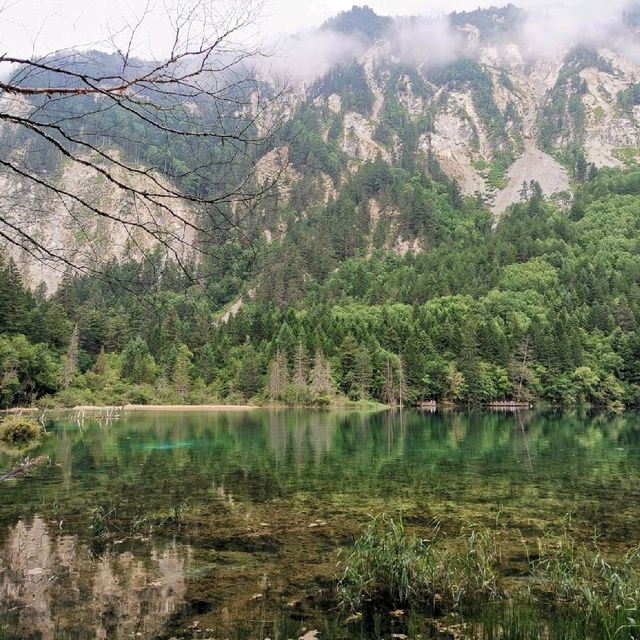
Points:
(68, 230)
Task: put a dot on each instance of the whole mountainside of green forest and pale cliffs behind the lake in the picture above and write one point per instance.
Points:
(460, 229)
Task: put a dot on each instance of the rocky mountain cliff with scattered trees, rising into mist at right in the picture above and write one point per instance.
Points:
(494, 116)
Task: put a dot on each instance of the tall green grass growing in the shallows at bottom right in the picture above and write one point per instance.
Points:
(568, 590)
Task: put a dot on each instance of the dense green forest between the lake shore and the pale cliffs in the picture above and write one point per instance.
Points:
(545, 307)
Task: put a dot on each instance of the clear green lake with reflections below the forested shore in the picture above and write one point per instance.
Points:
(228, 524)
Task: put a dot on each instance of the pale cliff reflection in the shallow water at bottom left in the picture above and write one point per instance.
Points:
(51, 586)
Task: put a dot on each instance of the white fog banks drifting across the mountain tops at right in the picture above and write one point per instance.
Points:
(547, 32)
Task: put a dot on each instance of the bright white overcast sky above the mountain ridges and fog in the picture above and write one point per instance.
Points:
(41, 26)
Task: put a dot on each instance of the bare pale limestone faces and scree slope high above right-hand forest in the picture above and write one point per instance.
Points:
(455, 126)
